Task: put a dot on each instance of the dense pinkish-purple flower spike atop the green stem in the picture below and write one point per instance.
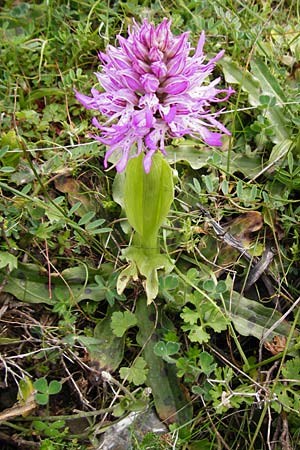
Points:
(154, 90)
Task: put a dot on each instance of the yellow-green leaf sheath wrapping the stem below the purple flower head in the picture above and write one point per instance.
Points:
(147, 200)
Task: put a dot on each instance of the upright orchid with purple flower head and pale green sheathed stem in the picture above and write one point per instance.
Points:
(153, 90)
